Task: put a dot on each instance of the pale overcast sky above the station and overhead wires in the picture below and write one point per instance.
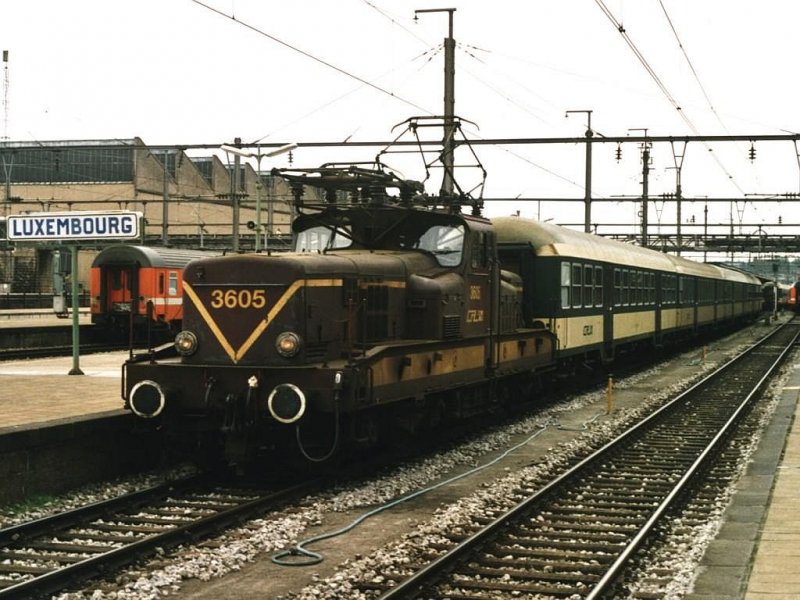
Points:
(176, 72)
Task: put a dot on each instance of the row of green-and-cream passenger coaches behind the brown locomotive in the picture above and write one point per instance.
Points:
(601, 297)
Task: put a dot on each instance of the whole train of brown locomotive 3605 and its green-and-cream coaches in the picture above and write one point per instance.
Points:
(397, 312)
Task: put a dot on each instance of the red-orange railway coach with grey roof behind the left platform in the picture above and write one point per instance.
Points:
(133, 287)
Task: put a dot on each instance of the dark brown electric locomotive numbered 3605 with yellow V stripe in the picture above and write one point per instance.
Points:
(391, 315)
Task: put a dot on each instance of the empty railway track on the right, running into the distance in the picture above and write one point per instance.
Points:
(578, 535)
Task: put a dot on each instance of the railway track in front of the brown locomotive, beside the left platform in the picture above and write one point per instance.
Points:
(53, 553)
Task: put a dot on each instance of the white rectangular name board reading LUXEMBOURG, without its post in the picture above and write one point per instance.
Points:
(75, 225)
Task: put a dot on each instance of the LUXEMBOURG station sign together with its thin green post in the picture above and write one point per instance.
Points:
(74, 226)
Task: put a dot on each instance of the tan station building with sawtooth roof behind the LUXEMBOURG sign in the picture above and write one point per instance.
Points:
(186, 198)
